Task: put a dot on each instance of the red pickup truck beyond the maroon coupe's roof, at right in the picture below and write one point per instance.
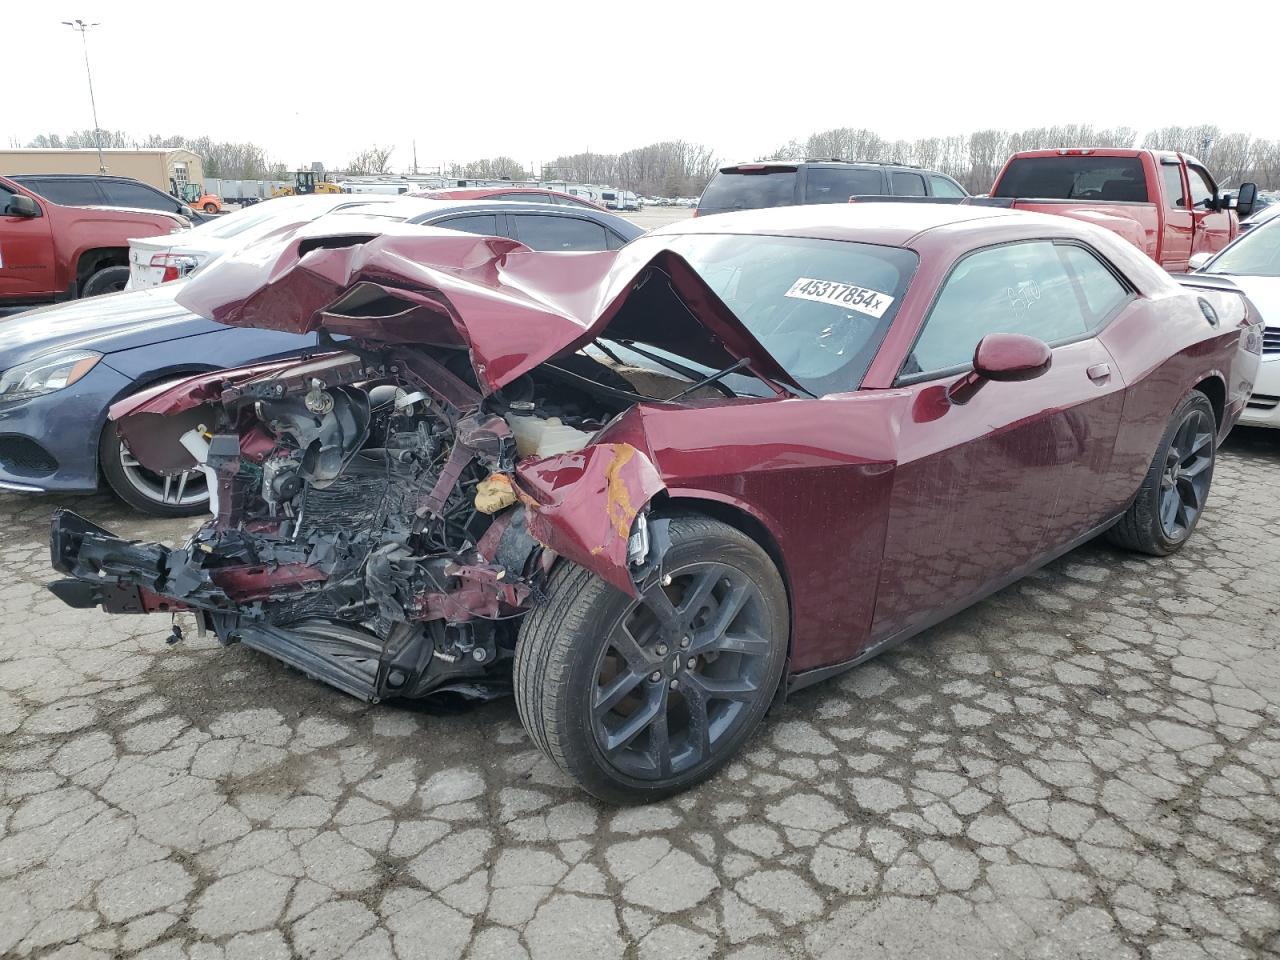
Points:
(1165, 204)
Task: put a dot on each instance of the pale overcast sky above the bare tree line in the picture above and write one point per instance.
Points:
(313, 81)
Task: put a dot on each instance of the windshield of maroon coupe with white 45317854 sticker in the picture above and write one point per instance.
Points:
(820, 308)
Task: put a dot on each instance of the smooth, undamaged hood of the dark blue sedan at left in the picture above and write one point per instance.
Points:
(108, 324)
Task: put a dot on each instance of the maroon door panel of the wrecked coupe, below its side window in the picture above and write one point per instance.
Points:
(986, 488)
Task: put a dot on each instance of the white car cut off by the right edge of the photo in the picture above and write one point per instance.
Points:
(1252, 263)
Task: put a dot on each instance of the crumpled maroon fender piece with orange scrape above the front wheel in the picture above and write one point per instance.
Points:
(583, 505)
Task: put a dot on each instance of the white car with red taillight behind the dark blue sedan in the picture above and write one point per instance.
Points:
(156, 260)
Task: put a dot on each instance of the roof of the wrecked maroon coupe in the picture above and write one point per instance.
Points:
(885, 223)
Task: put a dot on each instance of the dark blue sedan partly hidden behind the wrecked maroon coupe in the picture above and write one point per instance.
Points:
(63, 367)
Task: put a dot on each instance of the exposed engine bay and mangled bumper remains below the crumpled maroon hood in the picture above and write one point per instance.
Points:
(369, 523)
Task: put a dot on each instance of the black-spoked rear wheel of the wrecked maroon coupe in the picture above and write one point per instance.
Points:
(1172, 499)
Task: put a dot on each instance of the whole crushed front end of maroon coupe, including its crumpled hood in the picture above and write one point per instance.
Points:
(386, 511)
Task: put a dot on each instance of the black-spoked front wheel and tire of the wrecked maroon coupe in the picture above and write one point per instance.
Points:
(637, 711)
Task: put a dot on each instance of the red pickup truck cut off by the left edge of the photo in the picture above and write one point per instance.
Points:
(52, 253)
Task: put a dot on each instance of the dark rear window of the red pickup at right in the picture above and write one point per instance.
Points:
(1075, 179)
